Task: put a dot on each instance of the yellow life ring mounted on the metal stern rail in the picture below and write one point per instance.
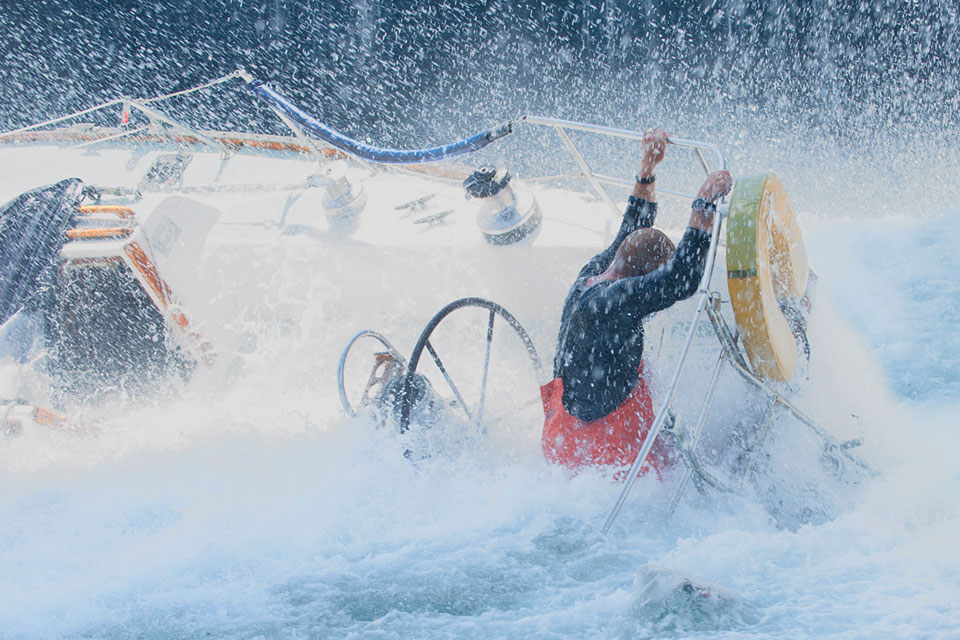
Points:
(766, 263)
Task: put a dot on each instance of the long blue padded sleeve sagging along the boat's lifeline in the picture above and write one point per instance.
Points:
(369, 152)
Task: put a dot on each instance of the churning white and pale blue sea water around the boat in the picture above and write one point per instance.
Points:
(264, 512)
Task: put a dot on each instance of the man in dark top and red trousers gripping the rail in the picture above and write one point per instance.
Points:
(598, 407)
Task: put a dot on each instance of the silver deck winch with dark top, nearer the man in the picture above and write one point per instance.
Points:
(505, 216)
